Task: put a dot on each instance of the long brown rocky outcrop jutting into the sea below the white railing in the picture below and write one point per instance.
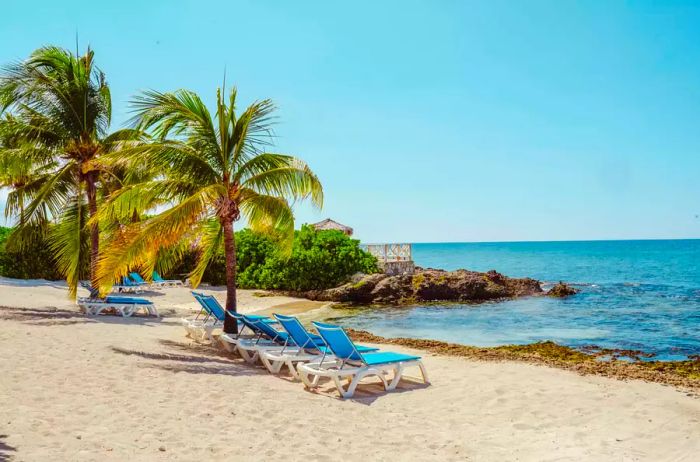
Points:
(428, 285)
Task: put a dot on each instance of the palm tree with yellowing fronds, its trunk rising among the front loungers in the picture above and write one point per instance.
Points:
(213, 171)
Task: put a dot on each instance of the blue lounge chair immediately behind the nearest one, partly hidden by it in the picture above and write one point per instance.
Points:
(307, 347)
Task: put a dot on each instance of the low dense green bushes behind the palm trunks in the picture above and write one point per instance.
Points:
(319, 260)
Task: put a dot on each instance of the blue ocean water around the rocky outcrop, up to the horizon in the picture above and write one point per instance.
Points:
(641, 295)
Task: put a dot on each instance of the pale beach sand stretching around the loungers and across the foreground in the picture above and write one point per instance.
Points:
(74, 388)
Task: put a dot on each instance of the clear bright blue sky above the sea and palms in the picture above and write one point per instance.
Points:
(435, 120)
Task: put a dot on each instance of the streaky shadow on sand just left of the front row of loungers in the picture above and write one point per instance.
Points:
(201, 362)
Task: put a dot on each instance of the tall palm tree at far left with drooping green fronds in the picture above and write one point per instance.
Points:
(60, 105)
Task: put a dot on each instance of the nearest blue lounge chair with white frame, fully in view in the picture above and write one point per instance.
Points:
(353, 365)
